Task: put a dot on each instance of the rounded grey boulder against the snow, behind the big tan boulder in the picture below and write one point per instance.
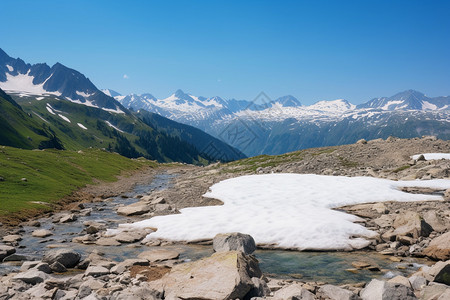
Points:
(234, 242)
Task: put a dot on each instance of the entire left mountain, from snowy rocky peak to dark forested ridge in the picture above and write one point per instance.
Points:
(59, 107)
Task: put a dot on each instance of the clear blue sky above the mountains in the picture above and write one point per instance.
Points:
(314, 50)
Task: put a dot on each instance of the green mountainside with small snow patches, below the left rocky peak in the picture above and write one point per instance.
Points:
(80, 126)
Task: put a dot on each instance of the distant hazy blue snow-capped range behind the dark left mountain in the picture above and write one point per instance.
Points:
(284, 124)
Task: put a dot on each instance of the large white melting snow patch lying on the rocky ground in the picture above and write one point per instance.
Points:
(287, 210)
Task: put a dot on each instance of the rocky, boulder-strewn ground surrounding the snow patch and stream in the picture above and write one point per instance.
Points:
(417, 229)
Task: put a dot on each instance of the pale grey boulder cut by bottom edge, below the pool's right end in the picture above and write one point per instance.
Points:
(382, 290)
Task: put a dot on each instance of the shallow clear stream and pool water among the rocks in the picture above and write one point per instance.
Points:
(309, 266)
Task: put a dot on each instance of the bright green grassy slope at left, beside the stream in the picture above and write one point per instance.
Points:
(52, 174)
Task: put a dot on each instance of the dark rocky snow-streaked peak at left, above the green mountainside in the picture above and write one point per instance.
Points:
(16, 76)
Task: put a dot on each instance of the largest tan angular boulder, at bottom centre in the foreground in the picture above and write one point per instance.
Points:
(224, 275)
